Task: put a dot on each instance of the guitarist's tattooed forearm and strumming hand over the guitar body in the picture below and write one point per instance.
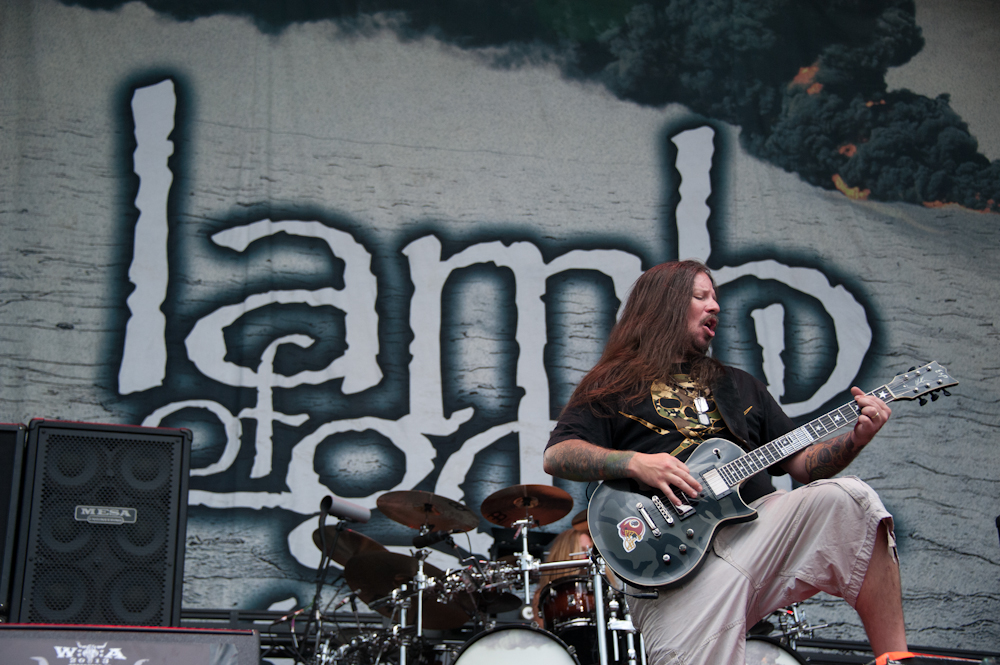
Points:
(575, 459)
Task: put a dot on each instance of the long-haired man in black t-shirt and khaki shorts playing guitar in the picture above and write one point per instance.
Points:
(652, 398)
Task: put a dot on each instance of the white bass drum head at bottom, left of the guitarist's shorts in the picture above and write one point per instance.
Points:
(523, 645)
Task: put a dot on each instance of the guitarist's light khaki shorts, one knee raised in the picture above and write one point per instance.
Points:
(819, 537)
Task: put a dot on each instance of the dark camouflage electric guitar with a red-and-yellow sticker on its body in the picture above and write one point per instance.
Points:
(650, 542)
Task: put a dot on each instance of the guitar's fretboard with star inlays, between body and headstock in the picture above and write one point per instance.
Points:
(785, 446)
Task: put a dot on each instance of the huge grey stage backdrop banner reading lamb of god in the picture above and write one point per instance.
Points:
(366, 250)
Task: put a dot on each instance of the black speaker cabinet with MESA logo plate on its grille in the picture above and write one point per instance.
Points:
(102, 525)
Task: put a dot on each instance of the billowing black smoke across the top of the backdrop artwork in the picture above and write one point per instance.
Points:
(803, 79)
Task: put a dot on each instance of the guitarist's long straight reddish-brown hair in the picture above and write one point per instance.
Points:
(649, 338)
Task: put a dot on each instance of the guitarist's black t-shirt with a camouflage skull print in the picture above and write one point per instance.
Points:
(672, 420)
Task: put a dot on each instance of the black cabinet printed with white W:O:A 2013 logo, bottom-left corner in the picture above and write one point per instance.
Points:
(97, 645)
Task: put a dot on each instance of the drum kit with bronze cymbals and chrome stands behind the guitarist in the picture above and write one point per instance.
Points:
(586, 620)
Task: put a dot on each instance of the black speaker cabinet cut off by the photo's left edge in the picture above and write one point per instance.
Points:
(11, 471)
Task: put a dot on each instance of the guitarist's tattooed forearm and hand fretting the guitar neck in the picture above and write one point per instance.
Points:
(828, 458)
